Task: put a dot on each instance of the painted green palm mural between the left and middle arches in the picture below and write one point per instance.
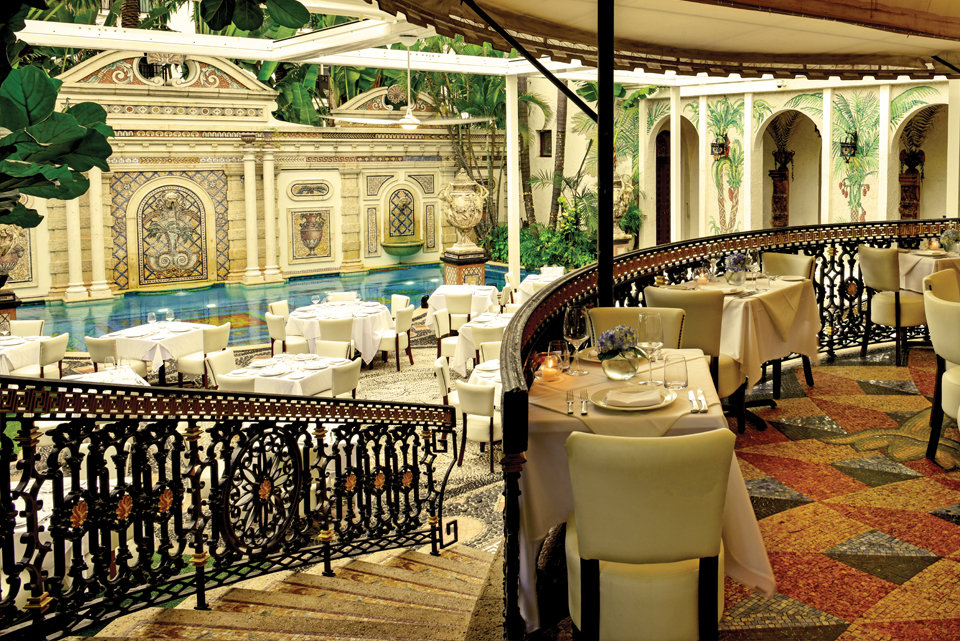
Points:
(722, 117)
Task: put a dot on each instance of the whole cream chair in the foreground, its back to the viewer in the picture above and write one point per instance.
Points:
(645, 562)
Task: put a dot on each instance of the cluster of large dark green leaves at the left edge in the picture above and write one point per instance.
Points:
(44, 151)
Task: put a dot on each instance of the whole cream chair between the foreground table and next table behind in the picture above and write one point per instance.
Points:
(702, 325)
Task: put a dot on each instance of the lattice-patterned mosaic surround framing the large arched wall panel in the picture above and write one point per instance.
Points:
(123, 185)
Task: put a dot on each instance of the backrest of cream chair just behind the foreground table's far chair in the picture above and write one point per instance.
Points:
(704, 312)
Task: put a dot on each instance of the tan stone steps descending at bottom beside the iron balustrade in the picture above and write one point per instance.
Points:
(401, 594)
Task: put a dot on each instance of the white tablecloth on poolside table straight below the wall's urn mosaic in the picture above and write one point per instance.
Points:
(369, 321)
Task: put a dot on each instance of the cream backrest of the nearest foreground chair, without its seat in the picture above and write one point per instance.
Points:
(662, 497)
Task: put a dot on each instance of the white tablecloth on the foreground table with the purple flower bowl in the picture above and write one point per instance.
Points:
(546, 496)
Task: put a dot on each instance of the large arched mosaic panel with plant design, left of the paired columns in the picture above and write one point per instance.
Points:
(172, 236)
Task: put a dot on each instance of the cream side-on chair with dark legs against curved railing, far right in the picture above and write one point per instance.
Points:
(886, 304)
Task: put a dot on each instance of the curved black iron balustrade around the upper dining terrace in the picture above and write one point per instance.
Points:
(840, 297)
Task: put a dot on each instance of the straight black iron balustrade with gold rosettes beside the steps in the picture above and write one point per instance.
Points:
(125, 497)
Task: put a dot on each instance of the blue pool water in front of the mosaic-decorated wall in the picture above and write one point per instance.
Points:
(243, 307)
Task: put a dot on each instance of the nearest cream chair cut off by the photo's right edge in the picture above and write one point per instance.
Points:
(943, 319)
